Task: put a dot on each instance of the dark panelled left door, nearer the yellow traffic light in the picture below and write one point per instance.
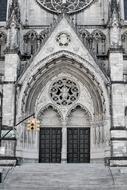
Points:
(50, 145)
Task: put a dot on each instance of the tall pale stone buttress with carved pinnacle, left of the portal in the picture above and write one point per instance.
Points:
(11, 63)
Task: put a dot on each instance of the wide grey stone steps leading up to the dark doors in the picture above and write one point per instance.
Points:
(65, 177)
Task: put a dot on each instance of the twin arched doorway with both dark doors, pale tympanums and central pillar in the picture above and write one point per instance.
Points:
(67, 139)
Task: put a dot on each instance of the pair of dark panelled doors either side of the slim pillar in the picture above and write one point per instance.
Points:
(78, 145)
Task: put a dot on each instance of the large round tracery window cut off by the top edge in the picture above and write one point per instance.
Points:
(69, 6)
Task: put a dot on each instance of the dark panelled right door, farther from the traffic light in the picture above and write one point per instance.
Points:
(78, 145)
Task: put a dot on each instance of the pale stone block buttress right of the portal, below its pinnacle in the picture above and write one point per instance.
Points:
(118, 129)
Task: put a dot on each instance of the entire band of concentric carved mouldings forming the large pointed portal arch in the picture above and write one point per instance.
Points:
(42, 75)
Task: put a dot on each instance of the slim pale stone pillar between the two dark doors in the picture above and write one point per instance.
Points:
(64, 144)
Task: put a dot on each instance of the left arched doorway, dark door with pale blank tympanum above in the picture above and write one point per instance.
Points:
(50, 136)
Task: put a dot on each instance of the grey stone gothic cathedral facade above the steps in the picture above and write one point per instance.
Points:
(65, 63)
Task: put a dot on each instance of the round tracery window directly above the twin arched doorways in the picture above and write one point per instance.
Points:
(64, 92)
